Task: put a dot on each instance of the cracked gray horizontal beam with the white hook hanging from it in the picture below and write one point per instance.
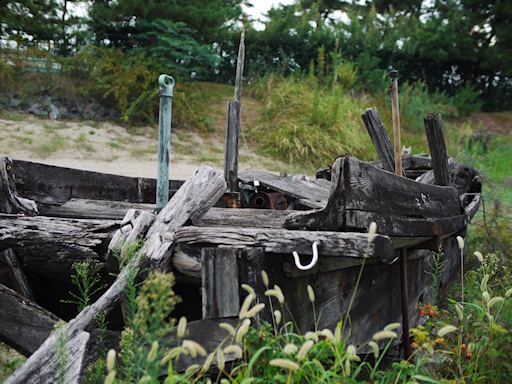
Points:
(339, 244)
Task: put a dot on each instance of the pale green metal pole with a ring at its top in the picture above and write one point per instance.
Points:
(164, 140)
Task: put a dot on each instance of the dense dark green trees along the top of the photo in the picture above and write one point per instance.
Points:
(459, 47)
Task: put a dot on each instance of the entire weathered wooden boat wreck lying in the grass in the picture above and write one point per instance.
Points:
(53, 216)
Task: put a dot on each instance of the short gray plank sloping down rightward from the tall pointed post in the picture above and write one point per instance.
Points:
(310, 194)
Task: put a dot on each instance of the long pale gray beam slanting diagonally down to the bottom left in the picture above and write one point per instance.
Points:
(193, 199)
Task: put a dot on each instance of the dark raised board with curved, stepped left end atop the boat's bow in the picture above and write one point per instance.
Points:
(361, 193)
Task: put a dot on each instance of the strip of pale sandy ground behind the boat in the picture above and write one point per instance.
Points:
(109, 148)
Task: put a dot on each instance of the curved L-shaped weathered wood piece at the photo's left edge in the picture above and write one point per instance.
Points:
(10, 202)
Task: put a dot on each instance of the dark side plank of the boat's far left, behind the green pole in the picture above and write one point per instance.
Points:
(52, 184)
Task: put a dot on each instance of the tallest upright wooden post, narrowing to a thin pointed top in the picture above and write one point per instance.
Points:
(234, 124)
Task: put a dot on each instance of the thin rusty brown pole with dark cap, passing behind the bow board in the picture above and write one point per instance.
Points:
(404, 281)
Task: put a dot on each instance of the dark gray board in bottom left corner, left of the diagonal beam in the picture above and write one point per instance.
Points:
(24, 325)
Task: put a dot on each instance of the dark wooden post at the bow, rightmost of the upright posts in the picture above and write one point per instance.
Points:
(437, 145)
